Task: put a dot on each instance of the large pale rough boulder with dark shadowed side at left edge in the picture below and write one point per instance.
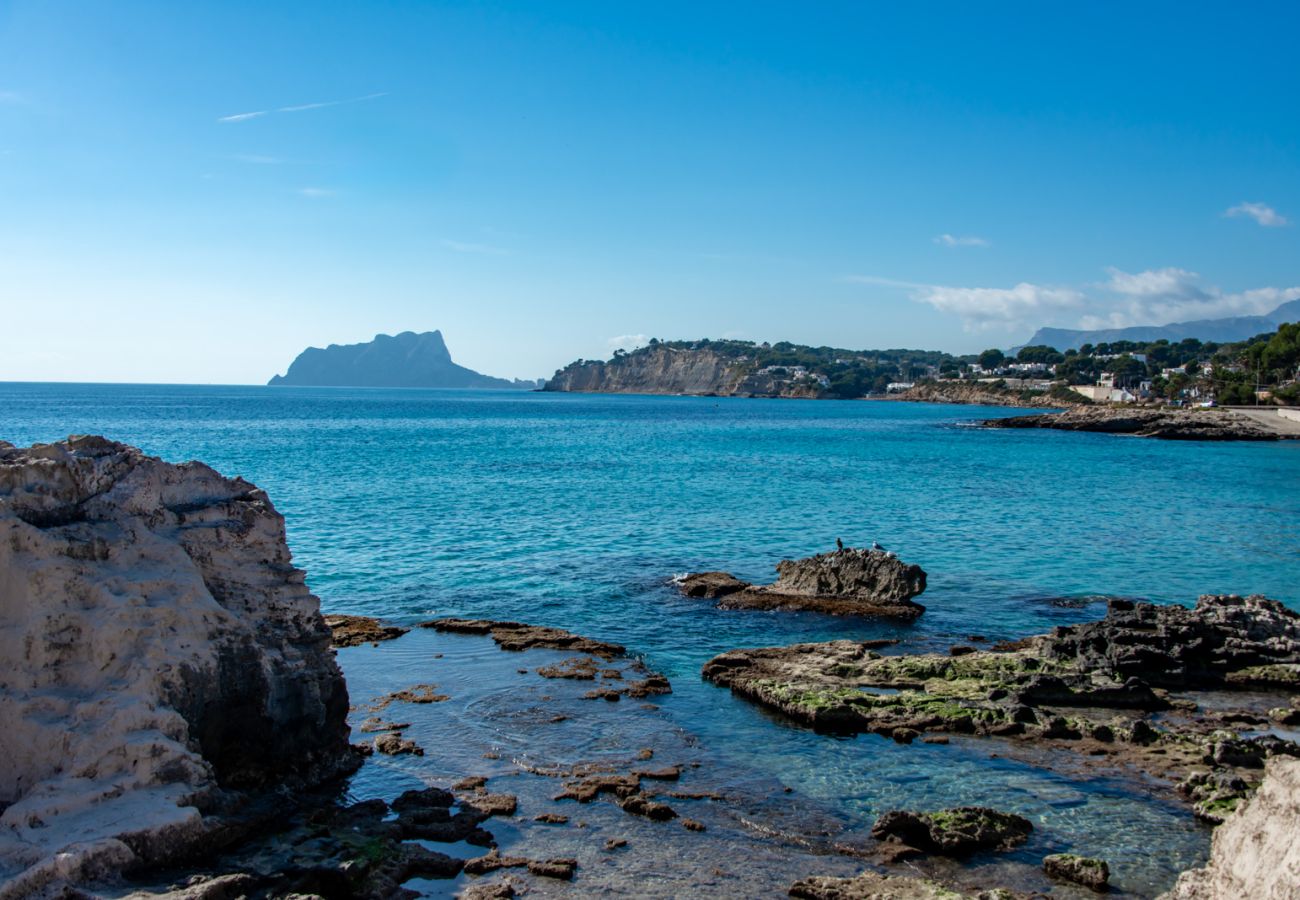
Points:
(159, 657)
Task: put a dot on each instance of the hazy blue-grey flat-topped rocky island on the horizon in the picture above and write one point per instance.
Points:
(402, 361)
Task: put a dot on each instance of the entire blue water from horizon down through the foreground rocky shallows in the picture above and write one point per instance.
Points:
(418, 507)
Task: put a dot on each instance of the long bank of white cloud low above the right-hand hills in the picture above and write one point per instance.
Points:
(1151, 297)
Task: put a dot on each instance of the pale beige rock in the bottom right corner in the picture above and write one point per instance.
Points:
(1255, 853)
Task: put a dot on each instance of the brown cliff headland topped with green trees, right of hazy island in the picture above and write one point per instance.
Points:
(673, 371)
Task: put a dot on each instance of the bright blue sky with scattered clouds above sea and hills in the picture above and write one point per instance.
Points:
(198, 192)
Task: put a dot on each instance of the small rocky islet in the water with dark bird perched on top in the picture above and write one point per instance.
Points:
(847, 582)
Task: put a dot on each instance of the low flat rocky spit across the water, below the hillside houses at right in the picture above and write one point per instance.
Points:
(1168, 425)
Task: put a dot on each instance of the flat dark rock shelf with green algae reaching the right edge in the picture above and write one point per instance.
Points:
(1090, 689)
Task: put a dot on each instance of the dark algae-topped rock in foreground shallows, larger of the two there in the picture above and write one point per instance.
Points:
(956, 832)
